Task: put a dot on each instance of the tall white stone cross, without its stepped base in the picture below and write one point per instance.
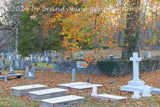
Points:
(136, 61)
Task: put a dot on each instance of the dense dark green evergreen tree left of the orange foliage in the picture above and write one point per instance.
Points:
(31, 39)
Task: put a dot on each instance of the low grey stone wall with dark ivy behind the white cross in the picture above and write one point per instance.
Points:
(116, 68)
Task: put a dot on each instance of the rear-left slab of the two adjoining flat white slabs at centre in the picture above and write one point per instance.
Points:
(68, 85)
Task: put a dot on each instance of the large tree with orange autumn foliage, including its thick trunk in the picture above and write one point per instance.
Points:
(93, 23)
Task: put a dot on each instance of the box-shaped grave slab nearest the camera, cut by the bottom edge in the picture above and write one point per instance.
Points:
(64, 101)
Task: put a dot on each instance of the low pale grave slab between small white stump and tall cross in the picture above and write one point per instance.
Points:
(110, 97)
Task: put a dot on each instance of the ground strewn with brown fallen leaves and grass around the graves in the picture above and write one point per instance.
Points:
(111, 85)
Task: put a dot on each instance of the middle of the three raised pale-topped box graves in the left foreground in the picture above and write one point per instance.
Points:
(47, 93)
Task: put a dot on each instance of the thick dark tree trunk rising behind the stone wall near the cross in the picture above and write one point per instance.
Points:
(132, 30)
